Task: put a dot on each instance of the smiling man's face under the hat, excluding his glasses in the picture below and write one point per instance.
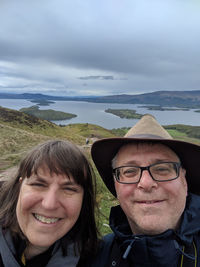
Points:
(151, 207)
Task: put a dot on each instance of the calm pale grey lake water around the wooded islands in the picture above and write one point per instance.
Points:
(95, 113)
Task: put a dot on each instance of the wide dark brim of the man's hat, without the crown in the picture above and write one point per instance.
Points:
(104, 150)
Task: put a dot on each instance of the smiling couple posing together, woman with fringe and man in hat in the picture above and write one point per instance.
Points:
(47, 209)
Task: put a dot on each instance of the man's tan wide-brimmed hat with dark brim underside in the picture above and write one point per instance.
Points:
(147, 129)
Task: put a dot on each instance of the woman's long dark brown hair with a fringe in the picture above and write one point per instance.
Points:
(61, 157)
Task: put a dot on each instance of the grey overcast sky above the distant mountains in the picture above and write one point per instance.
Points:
(99, 47)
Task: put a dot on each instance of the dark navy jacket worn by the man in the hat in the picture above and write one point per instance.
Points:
(169, 249)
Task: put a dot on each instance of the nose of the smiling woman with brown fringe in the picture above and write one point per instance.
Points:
(50, 199)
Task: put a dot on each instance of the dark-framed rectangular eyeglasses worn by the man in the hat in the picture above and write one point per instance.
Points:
(161, 172)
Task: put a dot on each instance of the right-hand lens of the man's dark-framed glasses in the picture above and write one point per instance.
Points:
(164, 171)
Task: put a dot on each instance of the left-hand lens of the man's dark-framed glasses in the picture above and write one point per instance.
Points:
(128, 174)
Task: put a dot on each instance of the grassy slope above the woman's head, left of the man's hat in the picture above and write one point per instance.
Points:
(20, 131)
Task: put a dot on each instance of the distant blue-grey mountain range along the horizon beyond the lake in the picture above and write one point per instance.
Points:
(189, 99)
